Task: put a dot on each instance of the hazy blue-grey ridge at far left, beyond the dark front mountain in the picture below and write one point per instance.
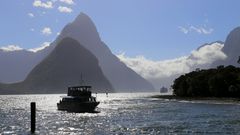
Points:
(15, 65)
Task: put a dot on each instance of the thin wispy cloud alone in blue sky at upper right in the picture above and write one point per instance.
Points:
(200, 30)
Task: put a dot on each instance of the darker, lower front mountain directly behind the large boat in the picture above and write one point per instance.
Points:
(63, 67)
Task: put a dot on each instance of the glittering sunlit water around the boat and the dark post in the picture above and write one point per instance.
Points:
(125, 113)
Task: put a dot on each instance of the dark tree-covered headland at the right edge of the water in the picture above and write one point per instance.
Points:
(215, 83)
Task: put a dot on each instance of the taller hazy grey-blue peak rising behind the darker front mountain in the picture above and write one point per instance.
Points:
(120, 76)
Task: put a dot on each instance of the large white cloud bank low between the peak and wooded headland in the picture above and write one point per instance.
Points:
(164, 72)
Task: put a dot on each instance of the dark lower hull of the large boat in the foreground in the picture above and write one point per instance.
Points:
(79, 107)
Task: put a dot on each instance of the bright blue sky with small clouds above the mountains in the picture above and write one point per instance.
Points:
(156, 29)
